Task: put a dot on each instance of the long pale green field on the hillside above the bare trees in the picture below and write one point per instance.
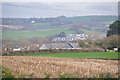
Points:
(15, 35)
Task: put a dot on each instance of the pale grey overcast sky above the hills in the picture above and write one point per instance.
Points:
(53, 9)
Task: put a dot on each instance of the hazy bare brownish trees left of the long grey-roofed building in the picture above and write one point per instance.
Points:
(31, 43)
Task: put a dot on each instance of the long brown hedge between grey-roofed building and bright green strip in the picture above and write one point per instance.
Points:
(48, 51)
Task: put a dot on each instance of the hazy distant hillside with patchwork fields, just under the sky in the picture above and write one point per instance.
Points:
(76, 25)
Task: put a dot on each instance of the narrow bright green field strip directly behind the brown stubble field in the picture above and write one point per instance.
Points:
(112, 55)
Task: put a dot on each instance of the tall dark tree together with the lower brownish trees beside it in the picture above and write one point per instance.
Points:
(109, 42)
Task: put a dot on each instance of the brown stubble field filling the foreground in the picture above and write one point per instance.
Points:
(41, 67)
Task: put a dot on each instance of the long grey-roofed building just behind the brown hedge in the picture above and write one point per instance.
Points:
(60, 45)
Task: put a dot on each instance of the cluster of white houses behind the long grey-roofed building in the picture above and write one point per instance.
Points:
(73, 37)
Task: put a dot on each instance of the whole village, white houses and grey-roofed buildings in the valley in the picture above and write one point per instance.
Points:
(61, 41)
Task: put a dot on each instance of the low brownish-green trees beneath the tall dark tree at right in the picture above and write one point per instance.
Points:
(105, 43)
